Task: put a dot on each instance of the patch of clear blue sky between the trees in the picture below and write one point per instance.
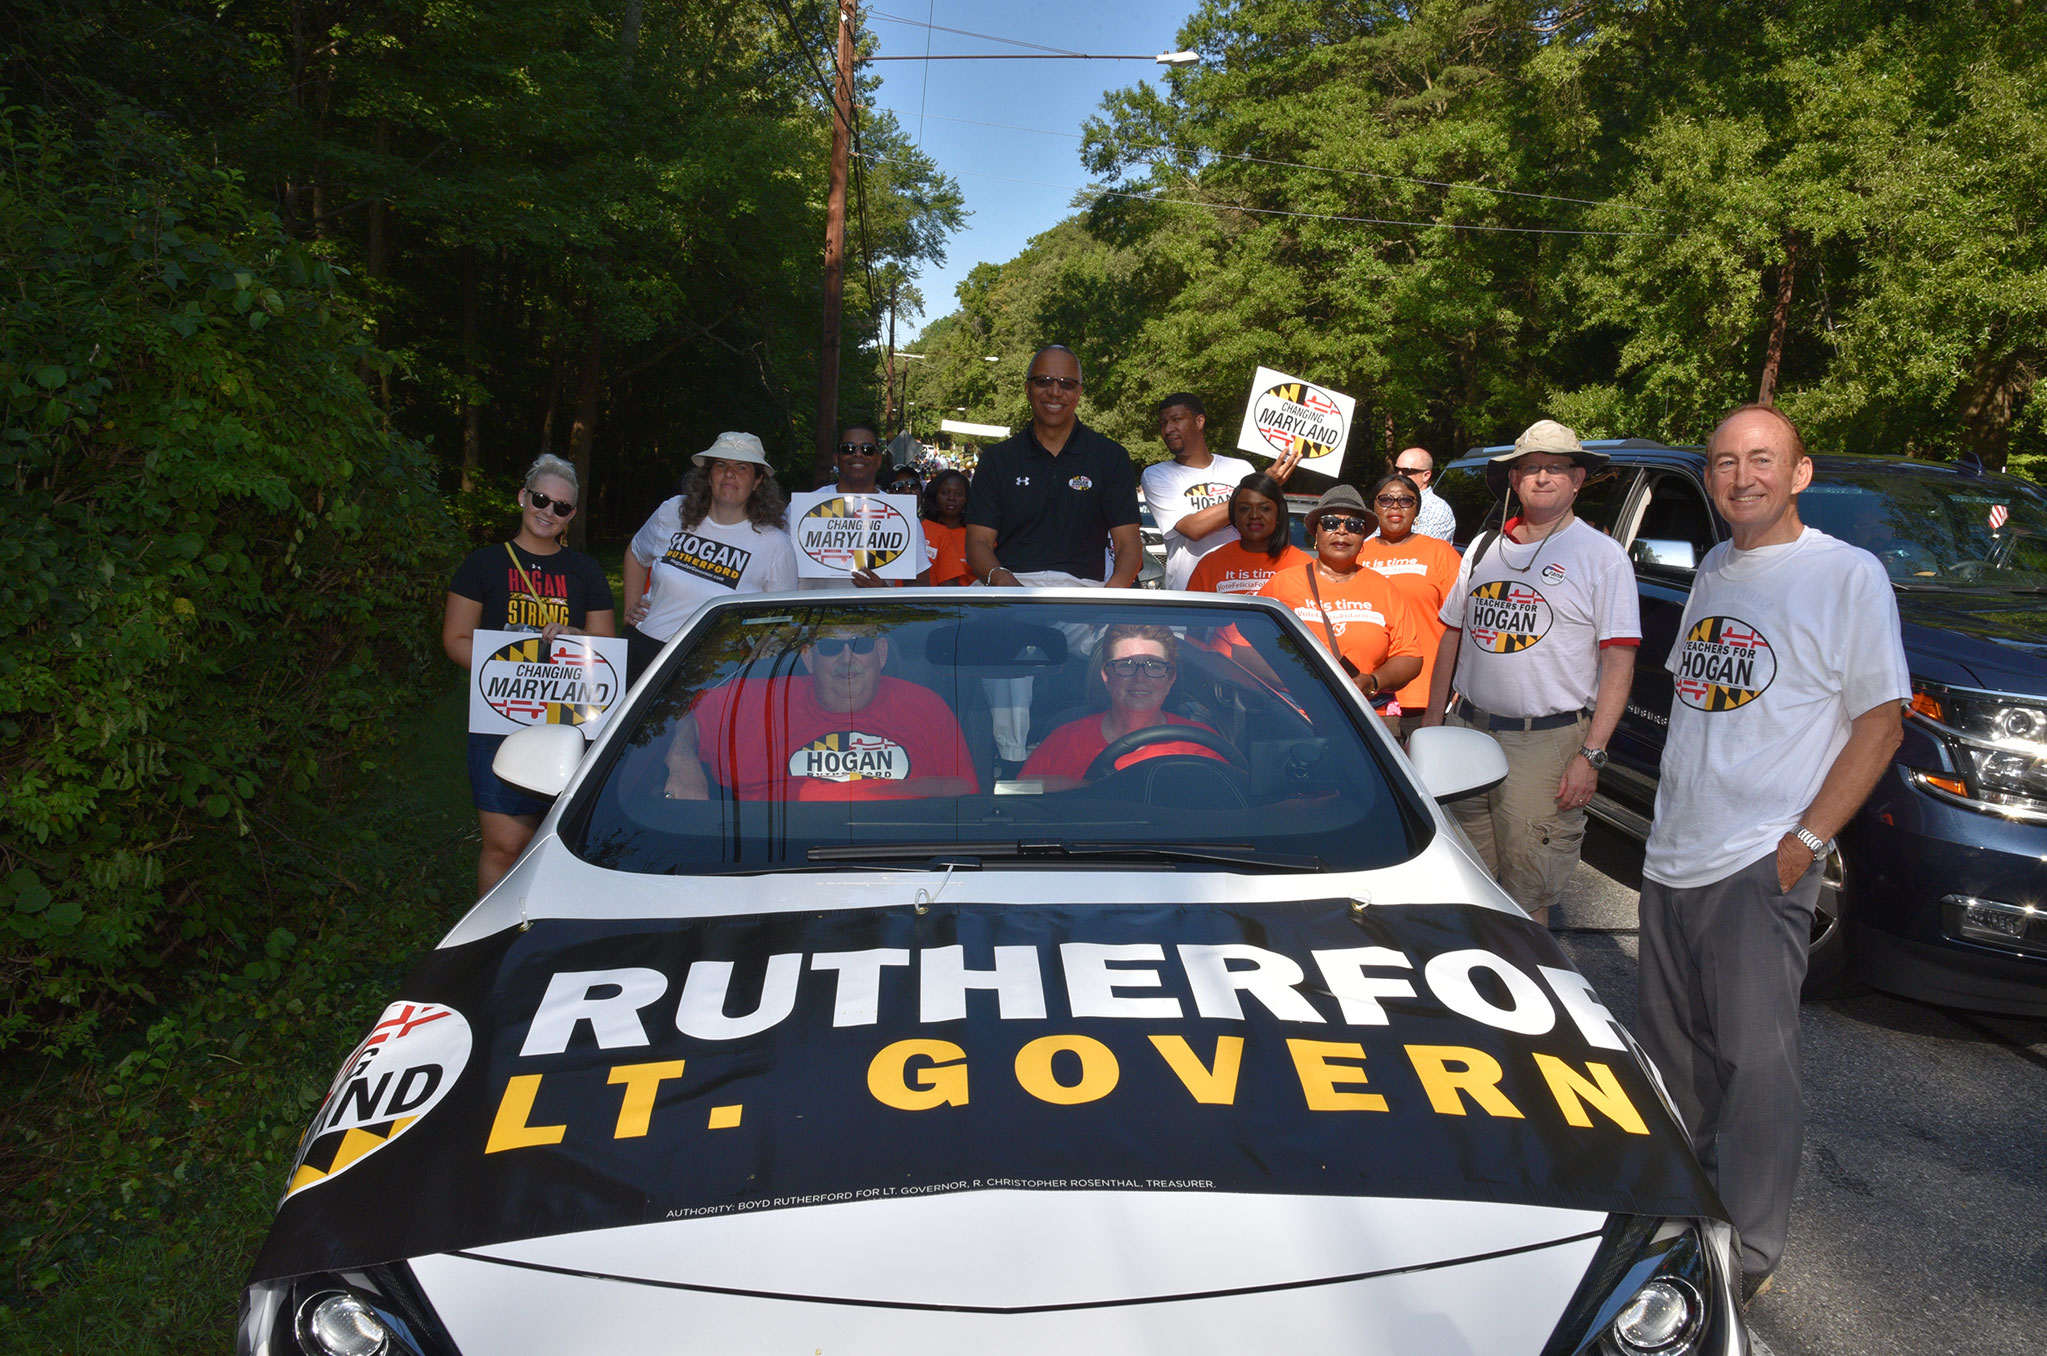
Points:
(1016, 183)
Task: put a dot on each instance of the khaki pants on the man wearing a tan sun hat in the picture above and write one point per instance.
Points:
(1522, 837)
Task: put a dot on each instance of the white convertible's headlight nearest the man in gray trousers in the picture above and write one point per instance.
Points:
(1657, 1287)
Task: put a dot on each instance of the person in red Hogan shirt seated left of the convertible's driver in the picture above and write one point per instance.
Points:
(840, 732)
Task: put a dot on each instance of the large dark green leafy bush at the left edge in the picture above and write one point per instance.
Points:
(216, 581)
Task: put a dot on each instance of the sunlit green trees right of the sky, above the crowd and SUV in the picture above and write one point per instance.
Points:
(1628, 216)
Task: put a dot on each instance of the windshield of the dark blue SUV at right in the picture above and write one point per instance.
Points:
(1935, 529)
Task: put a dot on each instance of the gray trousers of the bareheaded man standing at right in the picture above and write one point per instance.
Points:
(1718, 978)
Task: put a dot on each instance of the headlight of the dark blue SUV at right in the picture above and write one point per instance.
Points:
(1999, 745)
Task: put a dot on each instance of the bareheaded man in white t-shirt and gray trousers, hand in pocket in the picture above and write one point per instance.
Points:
(1790, 683)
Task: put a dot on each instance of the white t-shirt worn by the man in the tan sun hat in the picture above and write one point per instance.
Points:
(1536, 616)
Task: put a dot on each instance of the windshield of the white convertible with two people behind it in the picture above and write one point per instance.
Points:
(1004, 732)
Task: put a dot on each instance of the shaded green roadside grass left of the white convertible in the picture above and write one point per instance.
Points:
(140, 1183)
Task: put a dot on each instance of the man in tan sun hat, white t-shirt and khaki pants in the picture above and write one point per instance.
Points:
(1540, 642)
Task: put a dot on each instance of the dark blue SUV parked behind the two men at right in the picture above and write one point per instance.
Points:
(1940, 888)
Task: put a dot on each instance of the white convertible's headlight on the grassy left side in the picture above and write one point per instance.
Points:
(376, 1312)
